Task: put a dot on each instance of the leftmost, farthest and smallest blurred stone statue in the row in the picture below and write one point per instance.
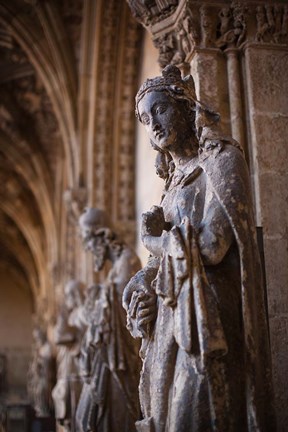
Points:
(41, 375)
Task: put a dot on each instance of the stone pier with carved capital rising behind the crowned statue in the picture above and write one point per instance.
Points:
(237, 53)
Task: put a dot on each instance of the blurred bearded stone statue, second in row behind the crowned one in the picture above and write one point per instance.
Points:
(109, 400)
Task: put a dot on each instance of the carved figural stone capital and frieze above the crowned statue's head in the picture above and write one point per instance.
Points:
(219, 25)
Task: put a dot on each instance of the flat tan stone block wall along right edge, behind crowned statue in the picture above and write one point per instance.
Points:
(267, 89)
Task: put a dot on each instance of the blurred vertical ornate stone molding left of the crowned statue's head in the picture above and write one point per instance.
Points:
(108, 141)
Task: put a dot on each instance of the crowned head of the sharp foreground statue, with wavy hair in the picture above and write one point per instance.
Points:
(168, 108)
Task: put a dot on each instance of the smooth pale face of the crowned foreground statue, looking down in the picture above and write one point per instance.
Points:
(166, 120)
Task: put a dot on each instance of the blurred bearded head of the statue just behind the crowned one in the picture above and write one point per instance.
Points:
(97, 234)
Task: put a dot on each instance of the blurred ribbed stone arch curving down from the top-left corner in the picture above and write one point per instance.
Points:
(49, 52)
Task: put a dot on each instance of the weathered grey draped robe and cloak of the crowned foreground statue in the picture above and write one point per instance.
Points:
(206, 363)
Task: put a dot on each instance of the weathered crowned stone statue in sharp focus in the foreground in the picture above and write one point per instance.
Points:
(198, 304)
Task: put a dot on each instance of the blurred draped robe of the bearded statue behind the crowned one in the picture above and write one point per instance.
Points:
(109, 401)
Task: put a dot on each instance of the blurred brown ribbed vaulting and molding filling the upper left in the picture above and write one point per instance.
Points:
(68, 76)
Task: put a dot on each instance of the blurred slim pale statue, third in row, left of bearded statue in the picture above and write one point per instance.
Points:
(69, 331)
